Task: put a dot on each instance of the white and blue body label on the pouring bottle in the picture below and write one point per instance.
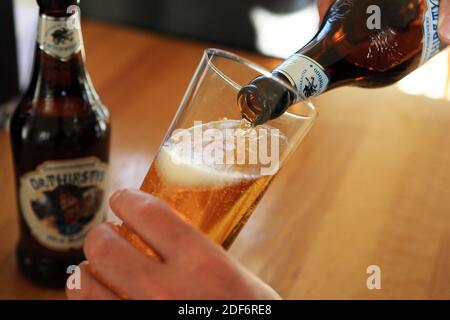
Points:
(431, 42)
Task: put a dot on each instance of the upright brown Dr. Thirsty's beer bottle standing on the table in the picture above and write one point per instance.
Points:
(60, 138)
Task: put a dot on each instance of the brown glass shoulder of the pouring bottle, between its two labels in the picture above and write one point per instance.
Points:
(351, 53)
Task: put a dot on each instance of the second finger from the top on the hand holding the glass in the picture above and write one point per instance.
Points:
(120, 265)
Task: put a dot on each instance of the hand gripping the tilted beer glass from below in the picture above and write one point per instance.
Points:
(191, 266)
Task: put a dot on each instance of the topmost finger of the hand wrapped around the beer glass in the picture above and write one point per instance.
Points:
(158, 225)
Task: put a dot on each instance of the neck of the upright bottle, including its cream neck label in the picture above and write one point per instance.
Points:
(59, 63)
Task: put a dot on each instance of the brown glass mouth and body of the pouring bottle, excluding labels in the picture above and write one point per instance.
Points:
(350, 53)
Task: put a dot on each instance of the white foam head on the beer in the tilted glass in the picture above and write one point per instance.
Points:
(220, 152)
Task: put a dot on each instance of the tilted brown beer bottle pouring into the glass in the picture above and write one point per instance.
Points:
(364, 43)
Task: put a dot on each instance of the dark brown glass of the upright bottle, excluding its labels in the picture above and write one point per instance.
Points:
(59, 118)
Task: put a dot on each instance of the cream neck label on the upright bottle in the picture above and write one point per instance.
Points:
(59, 37)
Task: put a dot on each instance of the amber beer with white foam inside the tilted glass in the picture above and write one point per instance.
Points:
(212, 175)
